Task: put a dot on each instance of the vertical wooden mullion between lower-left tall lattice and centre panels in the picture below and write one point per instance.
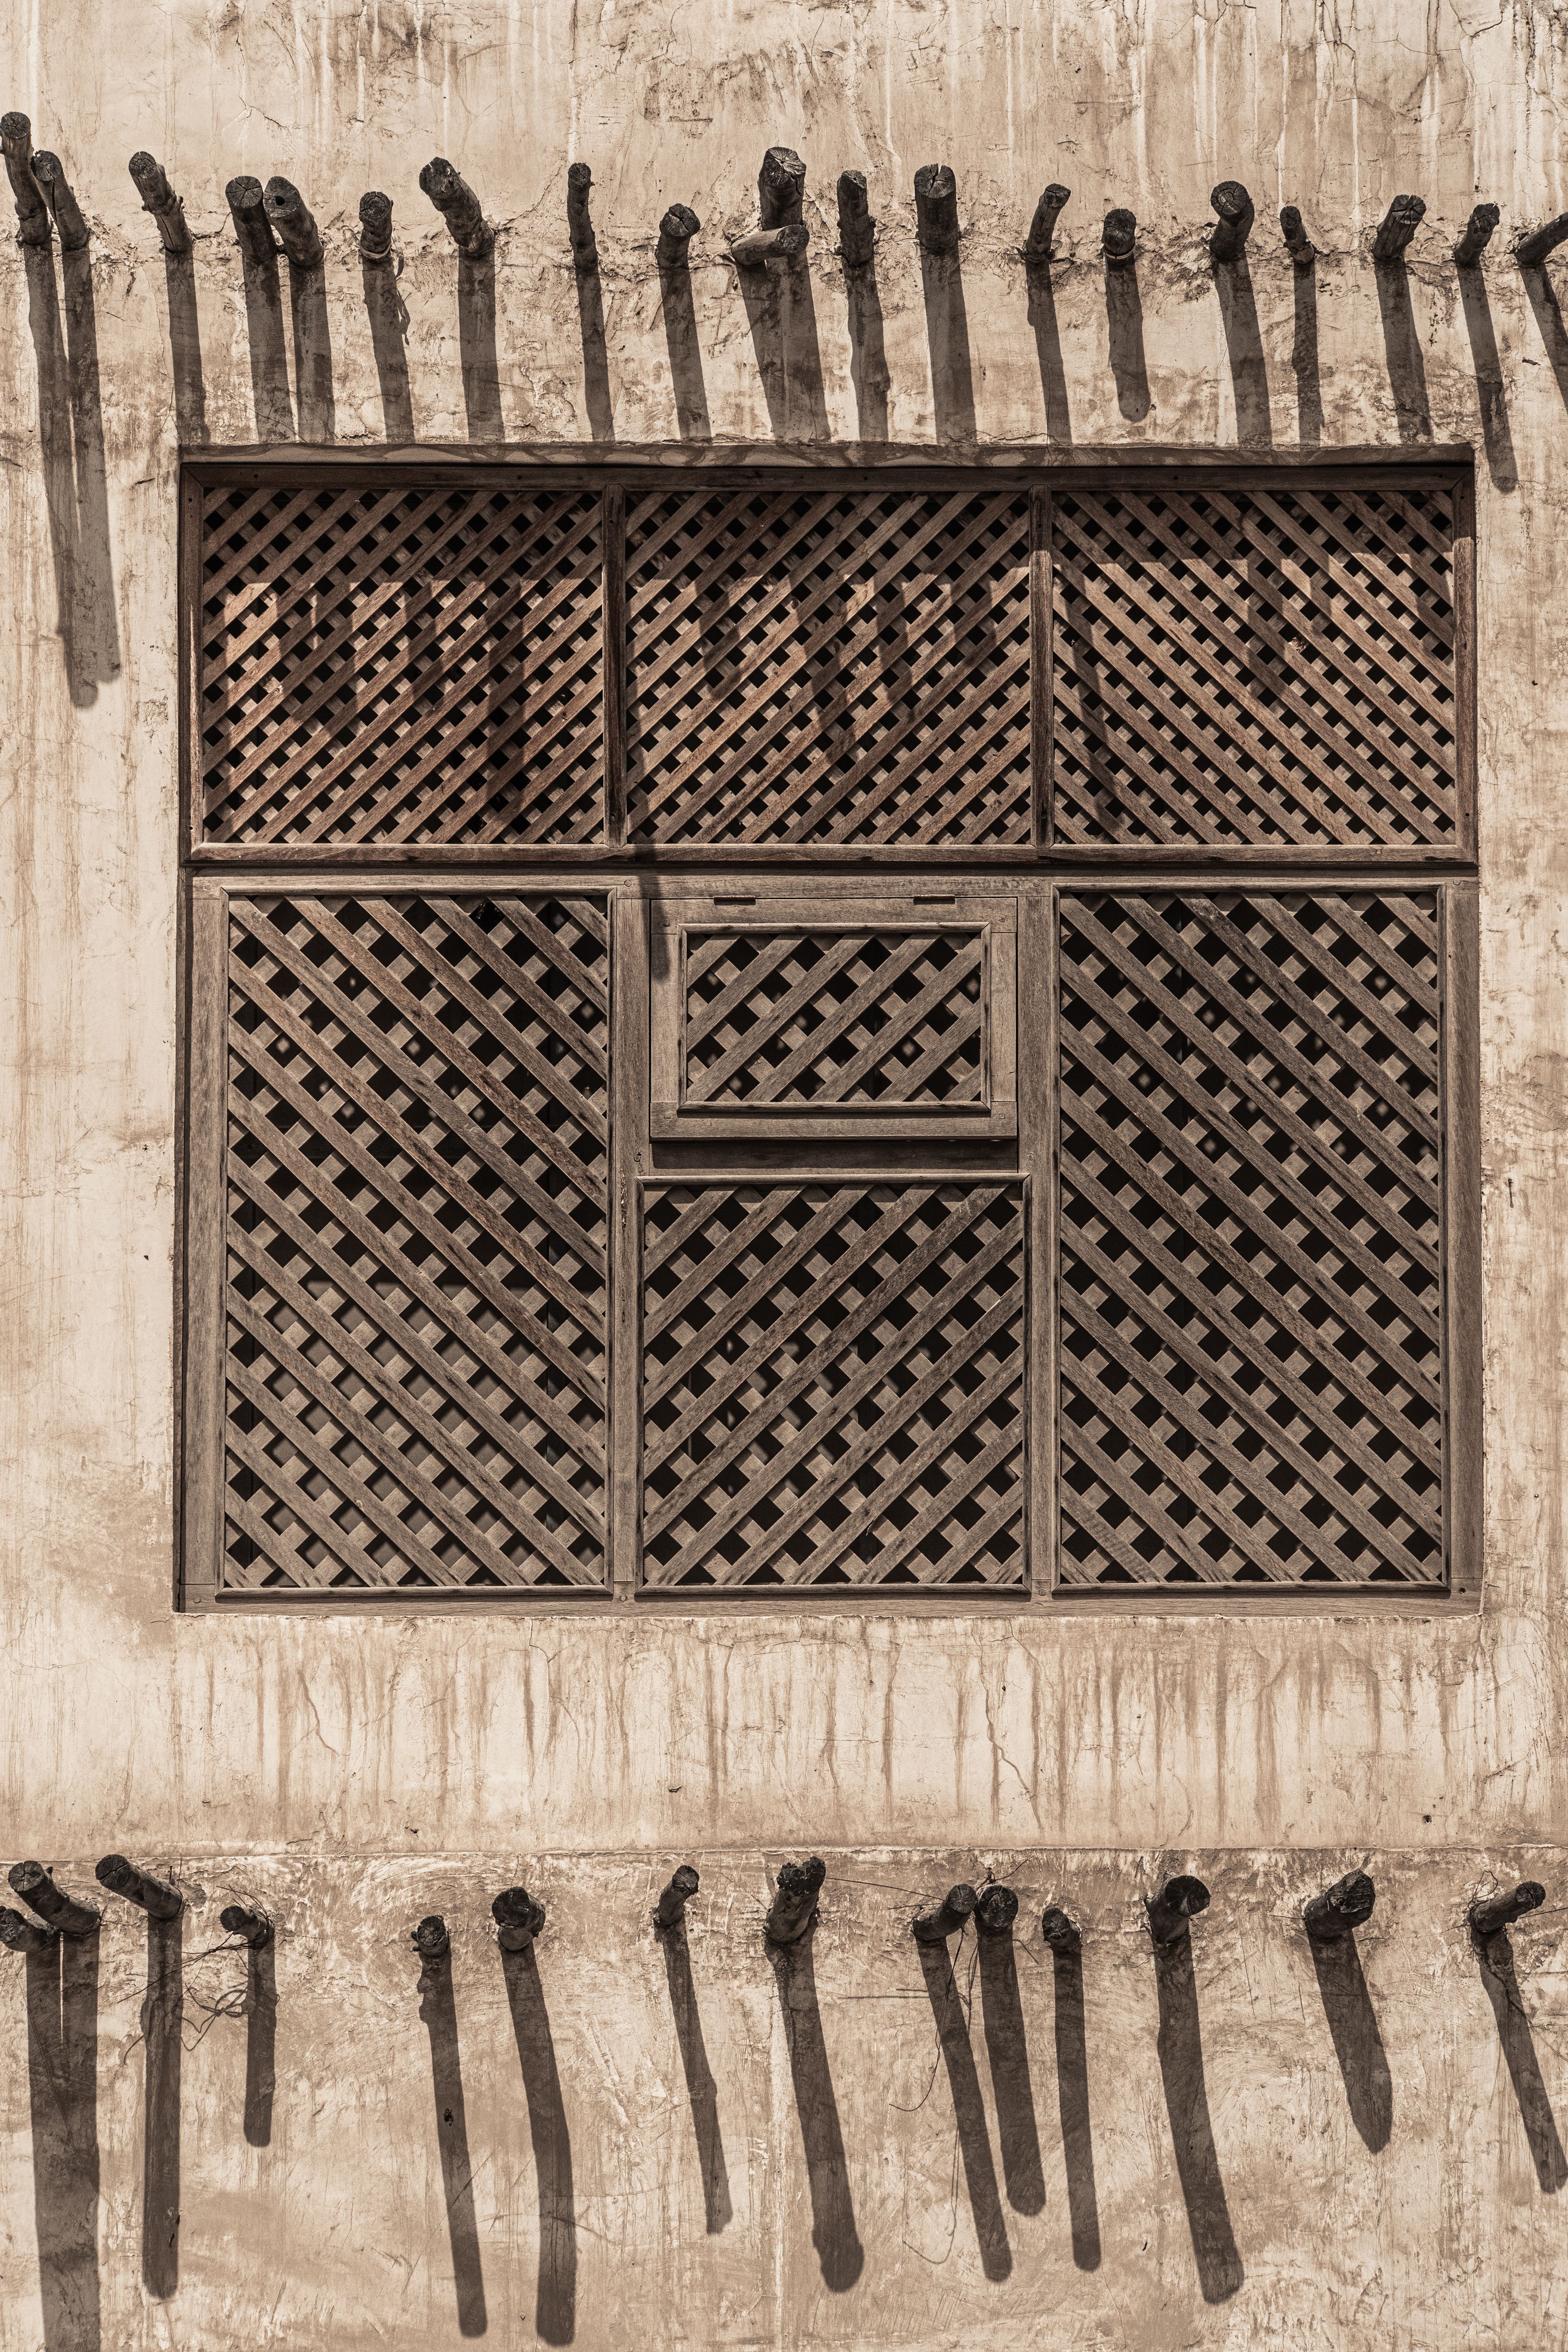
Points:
(629, 1130)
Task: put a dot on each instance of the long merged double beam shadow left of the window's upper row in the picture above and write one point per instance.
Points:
(76, 483)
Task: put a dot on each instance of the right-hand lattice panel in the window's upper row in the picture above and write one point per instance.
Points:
(1254, 667)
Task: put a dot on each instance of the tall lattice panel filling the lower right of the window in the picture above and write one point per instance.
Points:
(1249, 1255)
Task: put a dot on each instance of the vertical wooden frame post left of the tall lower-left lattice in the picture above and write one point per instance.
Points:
(206, 1252)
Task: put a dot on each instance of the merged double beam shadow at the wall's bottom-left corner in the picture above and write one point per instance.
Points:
(62, 1996)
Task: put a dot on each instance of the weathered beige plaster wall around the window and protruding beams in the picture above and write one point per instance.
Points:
(619, 2144)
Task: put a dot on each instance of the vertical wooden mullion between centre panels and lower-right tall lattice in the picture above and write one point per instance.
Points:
(1038, 1168)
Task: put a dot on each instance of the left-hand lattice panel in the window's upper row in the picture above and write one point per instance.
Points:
(401, 667)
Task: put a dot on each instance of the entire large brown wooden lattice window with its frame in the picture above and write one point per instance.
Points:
(836, 1031)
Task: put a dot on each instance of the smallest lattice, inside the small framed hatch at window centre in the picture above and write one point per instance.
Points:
(836, 1017)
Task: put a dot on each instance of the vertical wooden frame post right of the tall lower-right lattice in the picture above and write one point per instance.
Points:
(1461, 1236)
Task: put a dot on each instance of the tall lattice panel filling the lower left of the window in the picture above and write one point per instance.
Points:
(415, 1299)
